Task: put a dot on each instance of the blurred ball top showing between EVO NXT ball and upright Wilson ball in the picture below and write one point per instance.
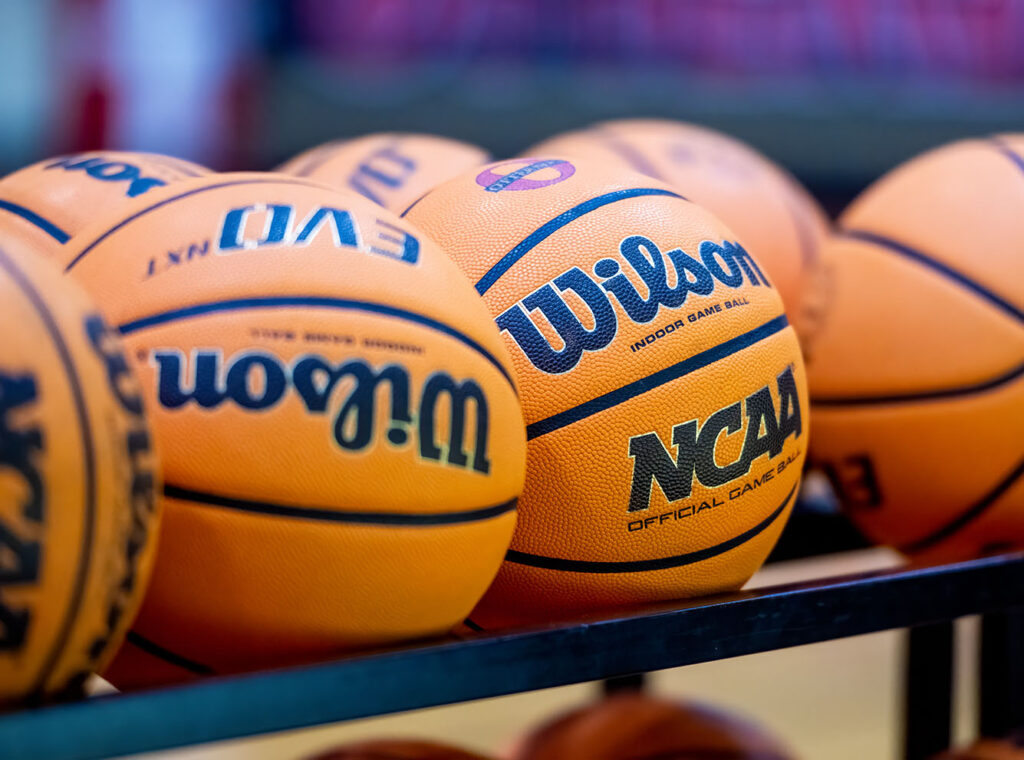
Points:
(393, 170)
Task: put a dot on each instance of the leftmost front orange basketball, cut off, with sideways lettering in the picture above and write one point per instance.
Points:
(78, 504)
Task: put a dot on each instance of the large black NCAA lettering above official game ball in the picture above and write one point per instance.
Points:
(697, 445)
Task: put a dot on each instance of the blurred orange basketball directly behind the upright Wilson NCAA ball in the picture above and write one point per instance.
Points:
(775, 218)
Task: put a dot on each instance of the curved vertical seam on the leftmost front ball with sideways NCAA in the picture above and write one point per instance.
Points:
(89, 468)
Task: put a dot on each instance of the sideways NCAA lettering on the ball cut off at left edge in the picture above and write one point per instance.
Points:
(20, 547)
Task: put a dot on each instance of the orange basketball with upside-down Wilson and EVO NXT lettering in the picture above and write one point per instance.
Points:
(344, 443)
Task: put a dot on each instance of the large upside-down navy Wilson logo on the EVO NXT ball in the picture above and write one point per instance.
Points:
(259, 382)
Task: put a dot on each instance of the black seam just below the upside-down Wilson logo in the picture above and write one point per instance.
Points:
(338, 516)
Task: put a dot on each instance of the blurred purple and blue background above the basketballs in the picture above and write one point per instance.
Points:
(837, 91)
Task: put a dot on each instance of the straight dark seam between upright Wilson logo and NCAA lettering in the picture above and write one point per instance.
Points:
(657, 379)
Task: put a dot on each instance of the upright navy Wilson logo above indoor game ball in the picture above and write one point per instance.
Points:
(726, 264)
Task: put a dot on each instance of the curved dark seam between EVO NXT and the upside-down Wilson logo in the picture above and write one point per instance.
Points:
(237, 305)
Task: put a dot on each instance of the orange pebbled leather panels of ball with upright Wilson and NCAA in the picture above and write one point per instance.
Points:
(576, 503)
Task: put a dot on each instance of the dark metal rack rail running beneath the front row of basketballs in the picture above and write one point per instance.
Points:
(493, 665)
